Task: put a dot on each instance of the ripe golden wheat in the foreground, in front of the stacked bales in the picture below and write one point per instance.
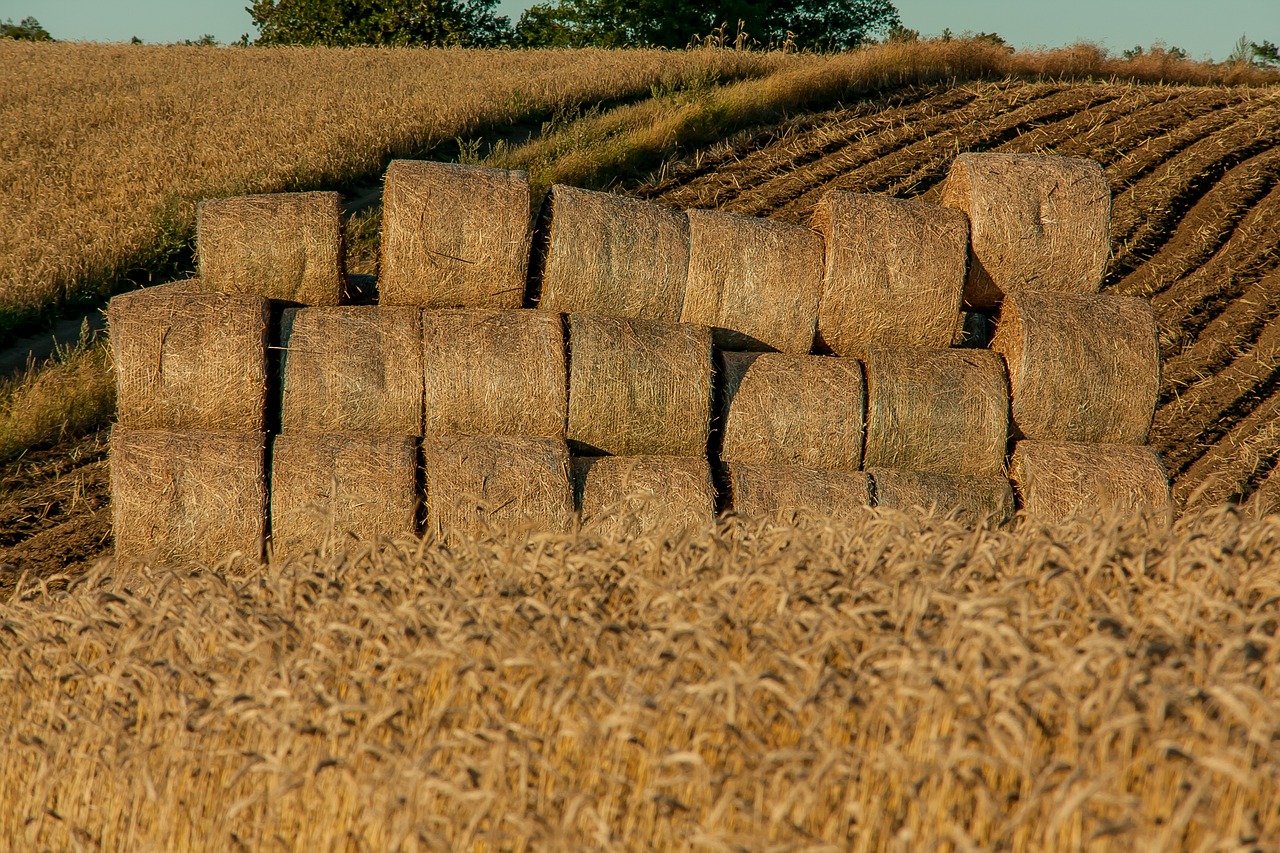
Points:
(894, 683)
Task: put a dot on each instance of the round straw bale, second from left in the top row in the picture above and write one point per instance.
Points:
(455, 236)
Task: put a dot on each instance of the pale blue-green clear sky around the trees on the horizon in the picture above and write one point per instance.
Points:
(1205, 30)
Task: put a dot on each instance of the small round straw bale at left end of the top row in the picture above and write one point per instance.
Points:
(282, 247)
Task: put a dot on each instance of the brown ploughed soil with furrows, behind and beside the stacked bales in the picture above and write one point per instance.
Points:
(1195, 176)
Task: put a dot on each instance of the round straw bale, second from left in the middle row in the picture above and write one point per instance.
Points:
(353, 370)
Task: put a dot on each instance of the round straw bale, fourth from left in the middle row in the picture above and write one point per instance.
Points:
(639, 387)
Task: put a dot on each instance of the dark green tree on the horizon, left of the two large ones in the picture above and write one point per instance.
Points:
(380, 22)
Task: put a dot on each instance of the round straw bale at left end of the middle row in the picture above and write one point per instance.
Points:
(188, 361)
